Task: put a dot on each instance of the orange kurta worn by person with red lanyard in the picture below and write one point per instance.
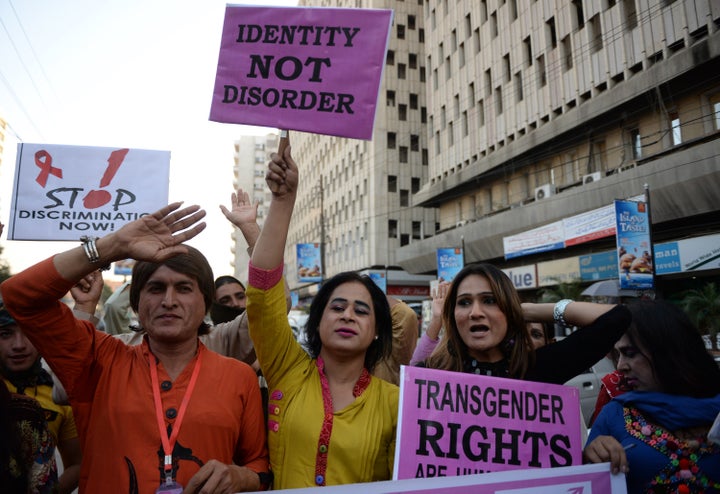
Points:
(109, 387)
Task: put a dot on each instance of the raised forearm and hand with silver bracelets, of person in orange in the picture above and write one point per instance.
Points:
(154, 237)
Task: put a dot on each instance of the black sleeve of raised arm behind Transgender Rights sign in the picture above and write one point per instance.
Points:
(558, 362)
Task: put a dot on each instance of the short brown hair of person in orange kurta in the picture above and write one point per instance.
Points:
(193, 264)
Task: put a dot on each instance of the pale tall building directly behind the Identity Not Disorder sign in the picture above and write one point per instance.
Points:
(355, 196)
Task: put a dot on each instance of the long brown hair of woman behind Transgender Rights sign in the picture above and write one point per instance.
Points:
(452, 352)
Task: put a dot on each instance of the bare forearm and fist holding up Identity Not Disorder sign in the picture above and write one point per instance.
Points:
(282, 178)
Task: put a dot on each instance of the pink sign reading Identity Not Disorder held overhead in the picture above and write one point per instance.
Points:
(309, 69)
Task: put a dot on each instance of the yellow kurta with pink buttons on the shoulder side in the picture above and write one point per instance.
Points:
(362, 443)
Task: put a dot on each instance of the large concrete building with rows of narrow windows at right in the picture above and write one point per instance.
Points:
(541, 110)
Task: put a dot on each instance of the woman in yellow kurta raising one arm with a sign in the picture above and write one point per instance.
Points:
(330, 421)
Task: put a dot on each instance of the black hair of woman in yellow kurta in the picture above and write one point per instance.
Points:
(379, 348)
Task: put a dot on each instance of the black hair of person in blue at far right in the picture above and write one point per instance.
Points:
(675, 349)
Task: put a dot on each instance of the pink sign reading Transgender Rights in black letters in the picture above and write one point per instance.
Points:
(452, 423)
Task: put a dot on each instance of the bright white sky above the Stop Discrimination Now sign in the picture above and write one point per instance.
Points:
(120, 73)
